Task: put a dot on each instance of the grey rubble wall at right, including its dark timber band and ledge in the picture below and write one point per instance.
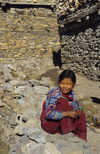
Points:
(80, 42)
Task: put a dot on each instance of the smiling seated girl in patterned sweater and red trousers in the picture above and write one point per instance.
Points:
(61, 112)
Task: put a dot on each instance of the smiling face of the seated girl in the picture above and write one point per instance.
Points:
(66, 85)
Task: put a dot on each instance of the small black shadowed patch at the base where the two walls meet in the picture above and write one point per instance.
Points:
(57, 58)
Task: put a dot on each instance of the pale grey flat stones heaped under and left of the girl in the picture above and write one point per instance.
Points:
(20, 108)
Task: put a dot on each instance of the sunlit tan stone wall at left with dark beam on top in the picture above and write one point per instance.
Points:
(28, 30)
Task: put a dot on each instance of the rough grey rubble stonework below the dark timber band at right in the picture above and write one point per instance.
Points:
(80, 51)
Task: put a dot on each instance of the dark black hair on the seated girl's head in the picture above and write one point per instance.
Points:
(67, 74)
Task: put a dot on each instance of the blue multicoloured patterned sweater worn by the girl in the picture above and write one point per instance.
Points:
(50, 105)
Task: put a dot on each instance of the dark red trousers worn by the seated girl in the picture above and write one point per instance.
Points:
(66, 124)
